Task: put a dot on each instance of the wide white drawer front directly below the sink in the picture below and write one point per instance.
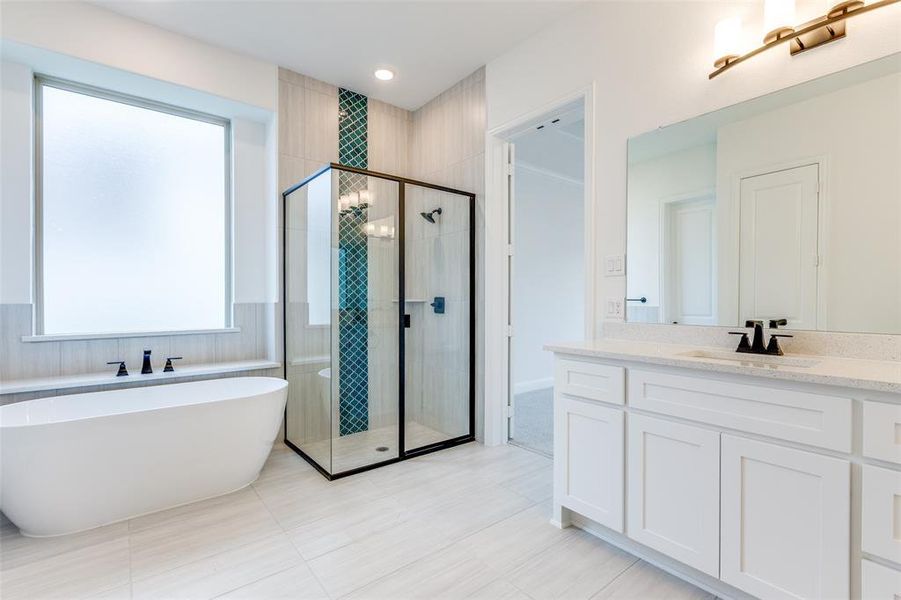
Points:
(803, 417)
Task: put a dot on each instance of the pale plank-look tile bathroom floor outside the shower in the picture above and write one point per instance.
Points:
(468, 522)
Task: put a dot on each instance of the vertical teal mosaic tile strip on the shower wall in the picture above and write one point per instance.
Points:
(353, 269)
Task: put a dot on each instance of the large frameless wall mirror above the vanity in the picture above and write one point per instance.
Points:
(786, 207)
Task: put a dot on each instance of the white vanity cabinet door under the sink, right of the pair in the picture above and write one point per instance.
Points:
(785, 521)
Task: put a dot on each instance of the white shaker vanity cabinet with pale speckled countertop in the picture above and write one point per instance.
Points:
(745, 483)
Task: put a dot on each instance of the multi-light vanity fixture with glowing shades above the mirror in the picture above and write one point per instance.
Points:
(812, 34)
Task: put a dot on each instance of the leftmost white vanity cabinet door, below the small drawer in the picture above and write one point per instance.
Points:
(588, 459)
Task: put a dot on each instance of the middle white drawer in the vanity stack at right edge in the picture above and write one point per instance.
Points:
(881, 514)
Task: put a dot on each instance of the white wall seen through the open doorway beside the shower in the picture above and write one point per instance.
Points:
(548, 273)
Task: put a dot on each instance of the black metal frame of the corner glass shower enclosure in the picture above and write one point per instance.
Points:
(403, 454)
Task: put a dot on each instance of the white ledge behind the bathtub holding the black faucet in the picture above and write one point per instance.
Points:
(109, 378)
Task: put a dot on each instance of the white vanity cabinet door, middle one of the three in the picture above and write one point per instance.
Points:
(674, 490)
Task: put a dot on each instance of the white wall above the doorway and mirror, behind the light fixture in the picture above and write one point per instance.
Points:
(647, 73)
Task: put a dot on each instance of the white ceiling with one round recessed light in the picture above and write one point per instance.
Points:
(430, 44)
